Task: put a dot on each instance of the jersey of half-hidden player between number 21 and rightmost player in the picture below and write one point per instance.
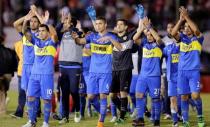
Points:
(171, 52)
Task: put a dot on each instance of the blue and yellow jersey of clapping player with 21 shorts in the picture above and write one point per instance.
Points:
(151, 59)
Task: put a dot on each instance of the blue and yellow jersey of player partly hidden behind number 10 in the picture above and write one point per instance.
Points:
(28, 50)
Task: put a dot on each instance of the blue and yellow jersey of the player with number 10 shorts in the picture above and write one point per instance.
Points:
(44, 56)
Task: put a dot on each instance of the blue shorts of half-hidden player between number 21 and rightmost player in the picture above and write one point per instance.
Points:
(172, 88)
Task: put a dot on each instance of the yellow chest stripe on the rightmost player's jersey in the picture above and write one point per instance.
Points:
(195, 45)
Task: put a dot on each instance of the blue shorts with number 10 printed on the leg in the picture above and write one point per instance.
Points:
(41, 85)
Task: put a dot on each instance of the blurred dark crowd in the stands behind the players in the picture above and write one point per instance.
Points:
(160, 11)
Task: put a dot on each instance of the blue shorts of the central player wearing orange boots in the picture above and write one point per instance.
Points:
(99, 83)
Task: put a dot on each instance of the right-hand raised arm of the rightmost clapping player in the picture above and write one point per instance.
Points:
(192, 25)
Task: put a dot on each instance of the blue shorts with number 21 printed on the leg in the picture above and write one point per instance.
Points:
(151, 84)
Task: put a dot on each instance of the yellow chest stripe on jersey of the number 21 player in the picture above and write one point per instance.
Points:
(156, 52)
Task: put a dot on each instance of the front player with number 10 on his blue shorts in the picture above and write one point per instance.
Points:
(41, 81)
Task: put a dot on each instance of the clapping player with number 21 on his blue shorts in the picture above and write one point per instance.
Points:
(149, 78)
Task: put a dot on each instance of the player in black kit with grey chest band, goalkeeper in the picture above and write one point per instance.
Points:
(122, 66)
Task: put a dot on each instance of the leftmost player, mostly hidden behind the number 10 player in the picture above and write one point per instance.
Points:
(28, 56)
